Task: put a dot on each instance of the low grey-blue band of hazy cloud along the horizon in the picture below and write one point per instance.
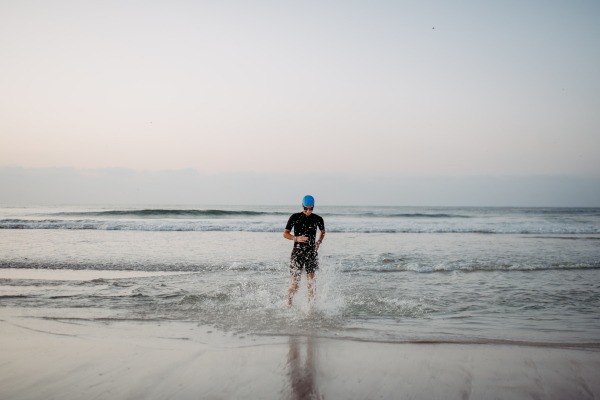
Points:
(126, 186)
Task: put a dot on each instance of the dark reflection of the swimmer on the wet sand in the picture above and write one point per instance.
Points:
(302, 377)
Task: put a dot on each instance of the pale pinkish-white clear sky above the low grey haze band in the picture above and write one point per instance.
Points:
(353, 87)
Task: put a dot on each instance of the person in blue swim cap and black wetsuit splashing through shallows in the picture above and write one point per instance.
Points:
(304, 254)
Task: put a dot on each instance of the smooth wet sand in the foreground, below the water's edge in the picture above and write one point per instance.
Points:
(103, 359)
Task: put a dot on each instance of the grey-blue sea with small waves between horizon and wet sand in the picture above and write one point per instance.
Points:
(393, 274)
